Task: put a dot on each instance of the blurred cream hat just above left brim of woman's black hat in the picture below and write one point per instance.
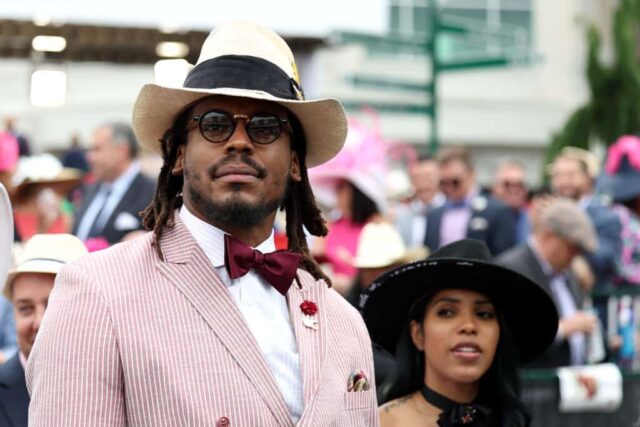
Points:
(381, 245)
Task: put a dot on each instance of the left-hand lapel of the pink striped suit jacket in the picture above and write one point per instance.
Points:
(188, 268)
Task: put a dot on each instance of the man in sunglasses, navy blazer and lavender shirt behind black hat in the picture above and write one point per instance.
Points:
(467, 213)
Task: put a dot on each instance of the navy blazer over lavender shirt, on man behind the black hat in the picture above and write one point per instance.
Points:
(491, 221)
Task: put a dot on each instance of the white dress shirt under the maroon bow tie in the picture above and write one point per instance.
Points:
(264, 309)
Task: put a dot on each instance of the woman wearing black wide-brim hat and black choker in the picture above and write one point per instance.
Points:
(458, 326)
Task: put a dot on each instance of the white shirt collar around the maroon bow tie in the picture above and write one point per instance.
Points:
(211, 239)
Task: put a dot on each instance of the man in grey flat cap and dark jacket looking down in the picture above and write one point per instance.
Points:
(561, 233)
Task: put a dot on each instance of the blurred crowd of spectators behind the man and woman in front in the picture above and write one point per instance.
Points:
(576, 235)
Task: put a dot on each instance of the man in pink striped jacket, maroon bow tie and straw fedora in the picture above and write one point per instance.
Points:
(200, 322)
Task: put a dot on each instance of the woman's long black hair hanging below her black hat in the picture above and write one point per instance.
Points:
(499, 386)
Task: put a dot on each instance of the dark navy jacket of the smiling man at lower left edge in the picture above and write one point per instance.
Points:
(14, 397)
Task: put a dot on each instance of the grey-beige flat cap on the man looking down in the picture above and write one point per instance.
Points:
(564, 218)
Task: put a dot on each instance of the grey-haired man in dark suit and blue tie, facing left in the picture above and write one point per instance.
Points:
(111, 207)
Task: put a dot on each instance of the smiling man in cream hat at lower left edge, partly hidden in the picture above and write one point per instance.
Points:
(28, 287)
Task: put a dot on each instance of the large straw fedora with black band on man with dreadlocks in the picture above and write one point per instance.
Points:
(247, 60)
